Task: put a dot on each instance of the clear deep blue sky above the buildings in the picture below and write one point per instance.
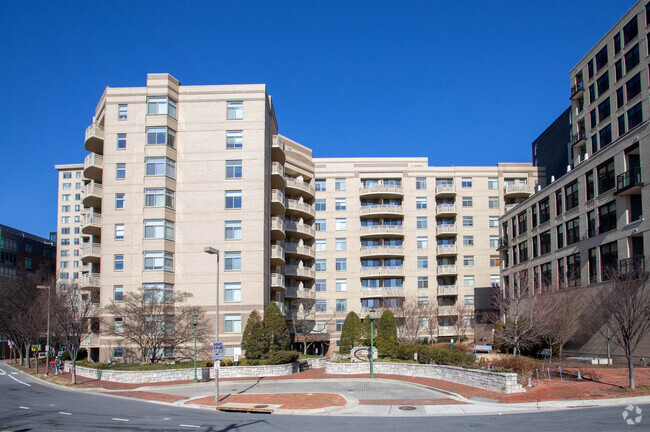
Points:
(461, 82)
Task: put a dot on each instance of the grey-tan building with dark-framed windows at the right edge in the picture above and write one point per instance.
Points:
(591, 219)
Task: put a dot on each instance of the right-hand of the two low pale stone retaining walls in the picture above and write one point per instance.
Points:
(494, 381)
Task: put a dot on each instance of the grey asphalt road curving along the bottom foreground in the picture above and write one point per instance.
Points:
(28, 405)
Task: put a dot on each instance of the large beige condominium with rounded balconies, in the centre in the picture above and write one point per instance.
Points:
(173, 169)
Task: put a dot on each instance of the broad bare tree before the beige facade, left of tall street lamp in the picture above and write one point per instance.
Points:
(158, 323)
